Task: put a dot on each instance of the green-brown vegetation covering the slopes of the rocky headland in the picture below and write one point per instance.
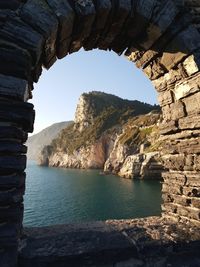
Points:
(108, 112)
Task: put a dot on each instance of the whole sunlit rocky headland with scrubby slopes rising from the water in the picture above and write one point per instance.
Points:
(109, 133)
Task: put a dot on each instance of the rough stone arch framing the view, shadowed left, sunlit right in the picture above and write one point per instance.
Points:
(160, 37)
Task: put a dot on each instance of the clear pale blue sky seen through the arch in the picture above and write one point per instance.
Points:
(56, 94)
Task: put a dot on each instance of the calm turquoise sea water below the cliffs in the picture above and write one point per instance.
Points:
(59, 196)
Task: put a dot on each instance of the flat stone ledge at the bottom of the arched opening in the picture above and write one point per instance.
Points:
(142, 242)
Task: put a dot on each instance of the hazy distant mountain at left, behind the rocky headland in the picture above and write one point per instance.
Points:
(37, 142)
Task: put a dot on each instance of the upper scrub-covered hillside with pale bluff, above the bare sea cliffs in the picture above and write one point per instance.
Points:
(96, 113)
